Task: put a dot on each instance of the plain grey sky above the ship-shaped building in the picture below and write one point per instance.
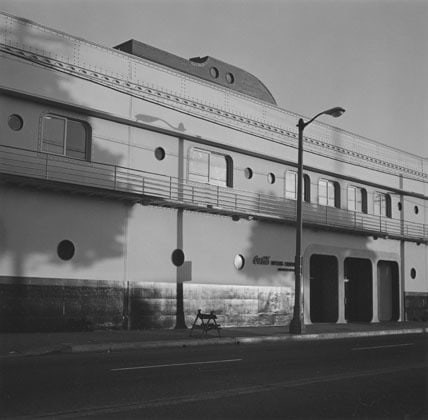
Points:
(368, 56)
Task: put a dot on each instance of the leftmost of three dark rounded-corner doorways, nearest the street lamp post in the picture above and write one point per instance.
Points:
(323, 288)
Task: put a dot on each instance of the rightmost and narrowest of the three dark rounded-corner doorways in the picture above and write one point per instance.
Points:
(389, 291)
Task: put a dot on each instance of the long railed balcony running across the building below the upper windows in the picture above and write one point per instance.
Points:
(42, 170)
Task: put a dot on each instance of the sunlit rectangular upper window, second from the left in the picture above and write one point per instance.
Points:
(209, 167)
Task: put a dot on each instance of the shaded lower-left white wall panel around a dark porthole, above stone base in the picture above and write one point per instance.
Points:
(33, 223)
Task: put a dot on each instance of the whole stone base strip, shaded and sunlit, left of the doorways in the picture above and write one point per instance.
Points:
(67, 305)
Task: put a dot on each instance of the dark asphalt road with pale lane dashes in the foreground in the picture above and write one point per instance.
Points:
(380, 377)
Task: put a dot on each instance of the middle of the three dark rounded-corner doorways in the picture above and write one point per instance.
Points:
(358, 290)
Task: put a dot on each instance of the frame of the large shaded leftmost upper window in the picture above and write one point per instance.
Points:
(88, 136)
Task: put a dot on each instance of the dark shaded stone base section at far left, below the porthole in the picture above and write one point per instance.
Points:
(28, 307)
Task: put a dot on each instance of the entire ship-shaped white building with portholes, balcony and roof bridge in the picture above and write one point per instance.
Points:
(137, 187)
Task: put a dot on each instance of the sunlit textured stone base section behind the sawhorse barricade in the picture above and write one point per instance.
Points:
(154, 304)
